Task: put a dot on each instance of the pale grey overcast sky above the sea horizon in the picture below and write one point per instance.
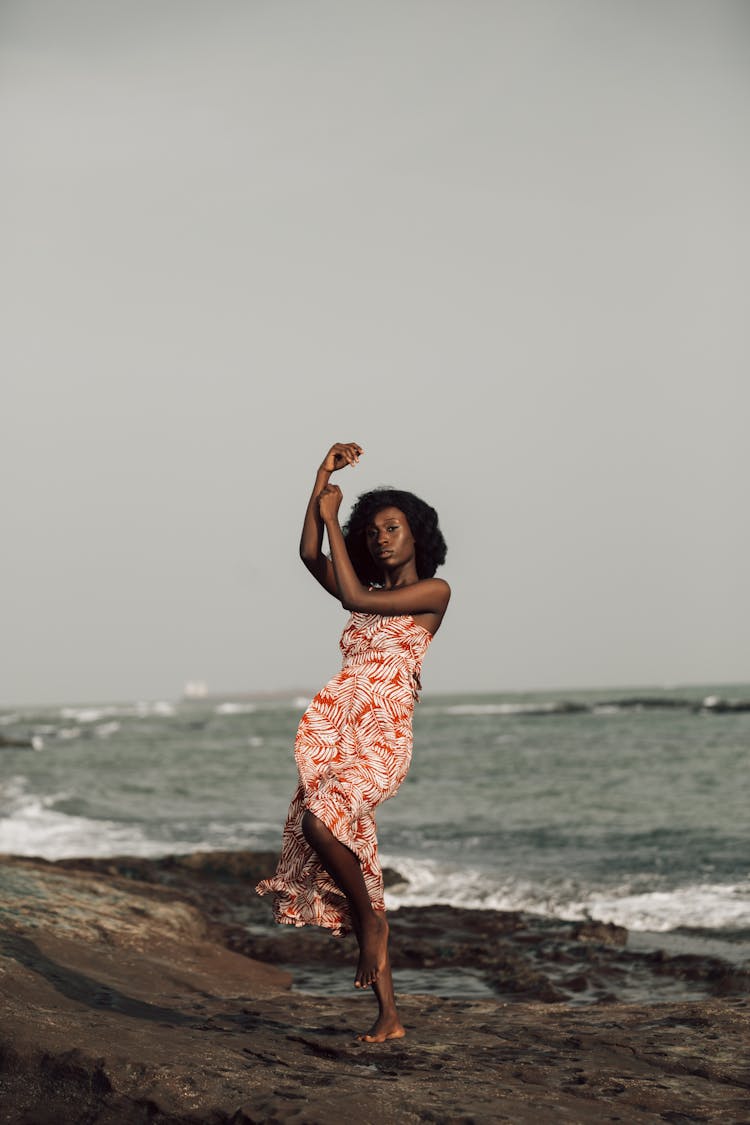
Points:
(503, 246)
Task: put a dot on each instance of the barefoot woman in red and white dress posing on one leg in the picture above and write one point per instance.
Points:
(355, 742)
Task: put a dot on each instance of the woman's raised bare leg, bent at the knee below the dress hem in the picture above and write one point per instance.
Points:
(371, 925)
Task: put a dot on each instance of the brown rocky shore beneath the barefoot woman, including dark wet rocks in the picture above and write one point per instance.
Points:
(157, 992)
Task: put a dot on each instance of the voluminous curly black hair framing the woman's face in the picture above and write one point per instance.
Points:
(430, 547)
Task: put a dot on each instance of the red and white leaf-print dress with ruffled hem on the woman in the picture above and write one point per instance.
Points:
(353, 750)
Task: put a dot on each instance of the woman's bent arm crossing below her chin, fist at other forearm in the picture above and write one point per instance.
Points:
(430, 596)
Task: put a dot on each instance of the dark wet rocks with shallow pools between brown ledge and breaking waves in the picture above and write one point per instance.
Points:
(436, 948)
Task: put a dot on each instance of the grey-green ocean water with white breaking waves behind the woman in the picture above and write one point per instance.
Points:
(628, 807)
